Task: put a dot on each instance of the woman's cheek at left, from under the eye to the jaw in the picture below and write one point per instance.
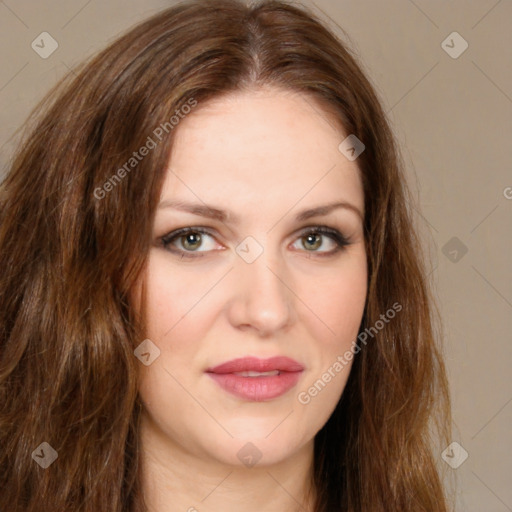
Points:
(176, 320)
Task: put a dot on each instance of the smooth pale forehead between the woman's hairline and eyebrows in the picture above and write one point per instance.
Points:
(264, 145)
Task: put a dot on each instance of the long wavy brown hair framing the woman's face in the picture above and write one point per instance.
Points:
(73, 247)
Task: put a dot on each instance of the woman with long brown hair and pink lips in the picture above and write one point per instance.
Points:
(213, 297)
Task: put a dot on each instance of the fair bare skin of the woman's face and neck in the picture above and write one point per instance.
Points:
(265, 155)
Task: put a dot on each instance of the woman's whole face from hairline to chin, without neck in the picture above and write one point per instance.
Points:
(256, 278)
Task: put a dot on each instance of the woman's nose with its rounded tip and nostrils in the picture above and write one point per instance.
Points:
(262, 299)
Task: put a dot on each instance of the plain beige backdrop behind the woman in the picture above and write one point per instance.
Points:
(453, 117)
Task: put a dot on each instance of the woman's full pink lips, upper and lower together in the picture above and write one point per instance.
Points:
(259, 388)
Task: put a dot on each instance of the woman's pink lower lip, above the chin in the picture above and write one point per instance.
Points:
(257, 389)
